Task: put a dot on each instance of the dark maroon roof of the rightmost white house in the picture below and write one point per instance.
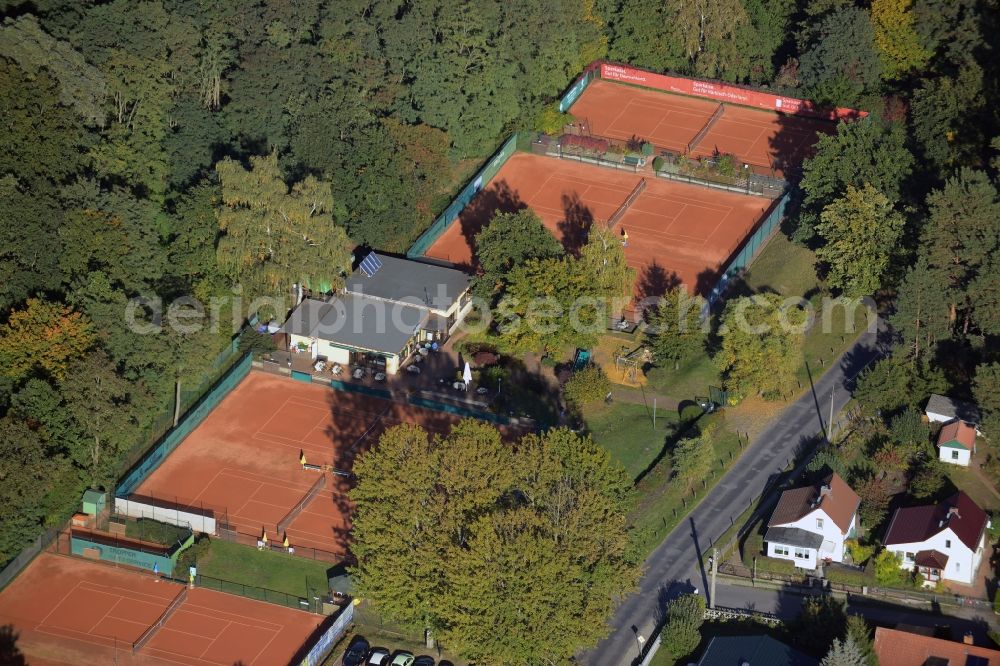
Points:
(919, 523)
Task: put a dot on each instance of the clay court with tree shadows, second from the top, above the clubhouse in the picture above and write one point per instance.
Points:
(683, 232)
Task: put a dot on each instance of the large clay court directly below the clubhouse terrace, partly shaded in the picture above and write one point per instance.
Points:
(244, 458)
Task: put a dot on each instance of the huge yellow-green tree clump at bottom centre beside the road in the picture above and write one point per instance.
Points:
(511, 555)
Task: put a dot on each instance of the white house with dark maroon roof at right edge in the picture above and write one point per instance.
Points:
(942, 542)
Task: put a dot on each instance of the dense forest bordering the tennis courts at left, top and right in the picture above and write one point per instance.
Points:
(147, 145)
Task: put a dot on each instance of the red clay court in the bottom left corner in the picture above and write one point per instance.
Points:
(72, 611)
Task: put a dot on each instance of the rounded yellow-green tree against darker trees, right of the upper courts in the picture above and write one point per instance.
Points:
(860, 230)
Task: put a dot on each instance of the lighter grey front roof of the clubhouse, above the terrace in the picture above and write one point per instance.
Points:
(356, 321)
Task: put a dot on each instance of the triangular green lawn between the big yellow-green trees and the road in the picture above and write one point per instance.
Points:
(626, 431)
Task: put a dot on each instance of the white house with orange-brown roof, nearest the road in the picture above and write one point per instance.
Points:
(810, 524)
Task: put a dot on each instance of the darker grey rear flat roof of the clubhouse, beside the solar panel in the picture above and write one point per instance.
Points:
(409, 281)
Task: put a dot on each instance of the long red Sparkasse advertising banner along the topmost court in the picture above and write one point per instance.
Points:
(723, 93)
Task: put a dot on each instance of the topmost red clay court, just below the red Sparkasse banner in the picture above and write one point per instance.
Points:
(764, 139)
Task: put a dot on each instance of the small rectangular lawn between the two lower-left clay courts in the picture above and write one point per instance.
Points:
(273, 571)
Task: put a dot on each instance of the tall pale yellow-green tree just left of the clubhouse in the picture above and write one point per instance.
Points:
(273, 235)
